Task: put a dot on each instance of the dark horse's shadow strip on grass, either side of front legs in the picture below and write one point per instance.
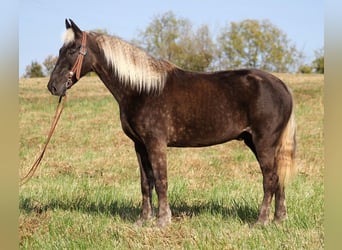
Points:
(129, 211)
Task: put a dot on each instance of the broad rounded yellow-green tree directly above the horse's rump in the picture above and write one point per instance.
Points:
(256, 44)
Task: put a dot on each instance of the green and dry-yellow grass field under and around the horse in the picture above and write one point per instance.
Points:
(86, 193)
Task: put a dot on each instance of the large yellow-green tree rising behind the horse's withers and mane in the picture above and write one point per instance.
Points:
(174, 39)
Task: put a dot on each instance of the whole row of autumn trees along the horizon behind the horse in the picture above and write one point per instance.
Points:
(246, 44)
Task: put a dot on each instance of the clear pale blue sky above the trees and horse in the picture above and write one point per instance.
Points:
(41, 23)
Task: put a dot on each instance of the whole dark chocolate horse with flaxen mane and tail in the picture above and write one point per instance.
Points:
(161, 105)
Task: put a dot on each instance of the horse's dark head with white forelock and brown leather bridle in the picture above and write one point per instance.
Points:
(73, 62)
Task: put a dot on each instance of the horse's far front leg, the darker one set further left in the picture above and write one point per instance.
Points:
(147, 183)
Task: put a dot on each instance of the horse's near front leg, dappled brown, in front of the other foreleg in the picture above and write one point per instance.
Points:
(156, 149)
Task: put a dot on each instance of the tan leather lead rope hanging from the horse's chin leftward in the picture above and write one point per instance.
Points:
(35, 165)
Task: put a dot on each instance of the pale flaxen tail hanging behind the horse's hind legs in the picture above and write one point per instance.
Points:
(285, 156)
